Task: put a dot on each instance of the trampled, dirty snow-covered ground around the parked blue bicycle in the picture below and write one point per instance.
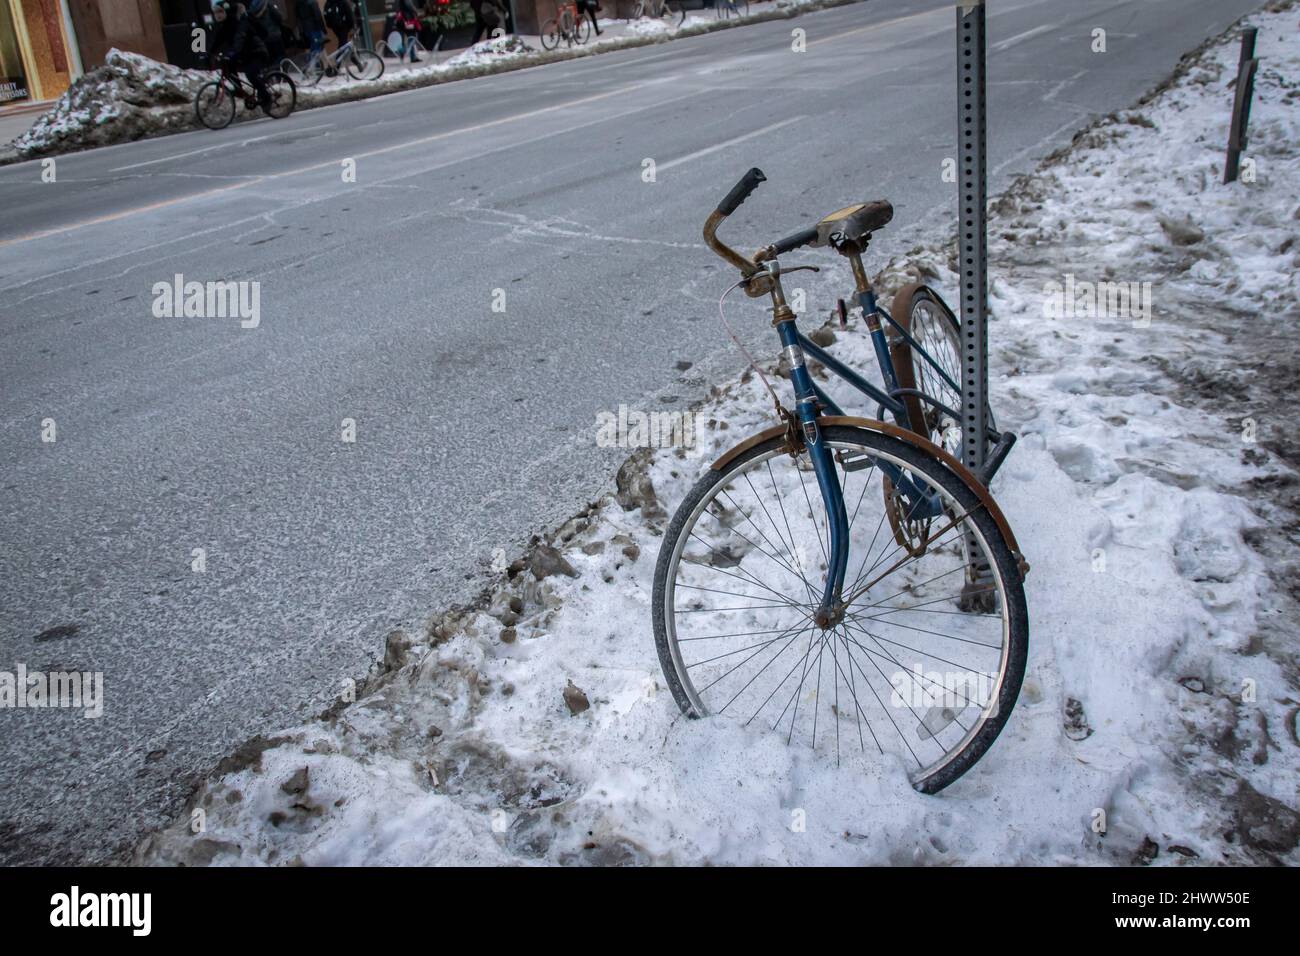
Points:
(1154, 492)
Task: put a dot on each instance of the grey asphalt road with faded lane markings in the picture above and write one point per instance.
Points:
(474, 427)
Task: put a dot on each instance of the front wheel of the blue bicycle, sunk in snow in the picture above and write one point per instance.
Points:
(924, 665)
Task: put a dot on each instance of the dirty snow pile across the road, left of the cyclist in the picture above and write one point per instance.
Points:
(128, 98)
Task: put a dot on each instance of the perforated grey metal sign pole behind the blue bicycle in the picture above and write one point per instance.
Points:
(973, 228)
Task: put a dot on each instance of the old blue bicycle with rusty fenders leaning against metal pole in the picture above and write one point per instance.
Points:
(759, 611)
